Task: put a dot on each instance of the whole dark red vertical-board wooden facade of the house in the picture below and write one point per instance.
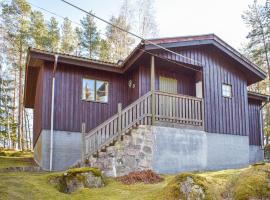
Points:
(222, 115)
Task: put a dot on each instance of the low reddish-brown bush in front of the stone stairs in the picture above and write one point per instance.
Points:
(146, 176)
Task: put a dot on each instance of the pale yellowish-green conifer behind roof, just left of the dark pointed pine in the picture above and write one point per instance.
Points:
(68, 37)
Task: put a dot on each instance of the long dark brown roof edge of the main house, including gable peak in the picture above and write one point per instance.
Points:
(148, 45)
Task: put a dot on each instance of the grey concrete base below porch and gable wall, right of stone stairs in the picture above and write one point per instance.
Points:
(178, 150)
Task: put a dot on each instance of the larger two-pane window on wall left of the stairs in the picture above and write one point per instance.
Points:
(95, 90)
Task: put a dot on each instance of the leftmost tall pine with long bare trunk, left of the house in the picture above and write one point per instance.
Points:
(15, 18)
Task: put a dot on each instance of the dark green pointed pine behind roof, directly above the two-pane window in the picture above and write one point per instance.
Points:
(90, 38)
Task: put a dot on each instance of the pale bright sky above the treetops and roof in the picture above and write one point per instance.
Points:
(174, 17)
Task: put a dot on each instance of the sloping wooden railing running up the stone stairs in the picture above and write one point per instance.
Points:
(139, 112)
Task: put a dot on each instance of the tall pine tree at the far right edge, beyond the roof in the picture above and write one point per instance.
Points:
(258, 49)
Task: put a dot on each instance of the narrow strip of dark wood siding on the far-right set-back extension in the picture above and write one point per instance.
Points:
(254, 122)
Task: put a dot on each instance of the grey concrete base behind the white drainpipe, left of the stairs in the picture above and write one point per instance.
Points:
(66, 149)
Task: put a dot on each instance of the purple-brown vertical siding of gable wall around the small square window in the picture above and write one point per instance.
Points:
(222, 115)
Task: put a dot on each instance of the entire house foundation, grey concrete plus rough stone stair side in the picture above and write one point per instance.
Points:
(163, 149)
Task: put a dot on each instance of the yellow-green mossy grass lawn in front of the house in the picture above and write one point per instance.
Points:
(34, 185)
